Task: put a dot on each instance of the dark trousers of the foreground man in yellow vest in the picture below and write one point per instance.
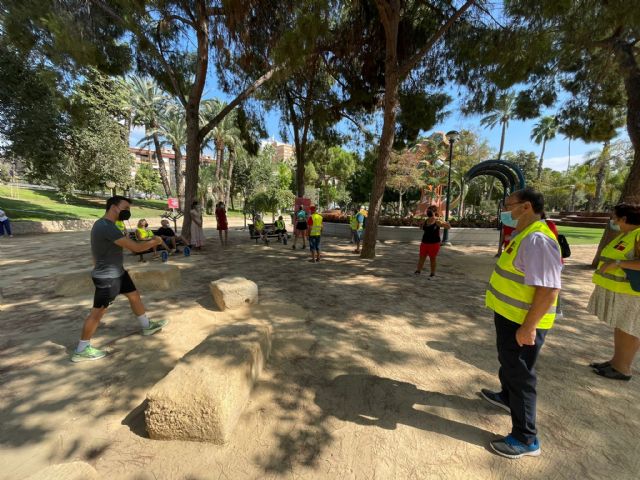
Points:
(518, 377)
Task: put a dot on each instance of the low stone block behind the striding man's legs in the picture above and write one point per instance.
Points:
(147, 277)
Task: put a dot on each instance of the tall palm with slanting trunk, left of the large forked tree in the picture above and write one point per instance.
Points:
(147, 101)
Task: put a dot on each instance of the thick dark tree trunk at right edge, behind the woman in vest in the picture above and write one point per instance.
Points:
(630, 72)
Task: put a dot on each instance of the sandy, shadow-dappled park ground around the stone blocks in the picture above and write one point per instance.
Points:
(374, 372)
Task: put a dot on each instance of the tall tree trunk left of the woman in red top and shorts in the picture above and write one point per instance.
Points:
(390, 17)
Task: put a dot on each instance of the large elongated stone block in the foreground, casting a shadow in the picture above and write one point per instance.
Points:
(202, 398)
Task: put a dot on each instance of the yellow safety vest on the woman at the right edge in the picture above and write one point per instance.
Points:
(621, 248)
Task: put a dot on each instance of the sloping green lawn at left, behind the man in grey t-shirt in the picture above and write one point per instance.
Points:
(39, 205)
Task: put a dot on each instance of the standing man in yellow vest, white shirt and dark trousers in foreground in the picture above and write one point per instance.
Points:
(523, 293)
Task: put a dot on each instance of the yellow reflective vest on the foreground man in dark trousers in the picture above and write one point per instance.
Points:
(507, 293)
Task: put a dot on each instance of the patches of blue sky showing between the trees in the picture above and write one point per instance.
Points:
(517, 137)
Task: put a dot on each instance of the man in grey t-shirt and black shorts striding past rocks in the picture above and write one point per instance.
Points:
(110, 278)
